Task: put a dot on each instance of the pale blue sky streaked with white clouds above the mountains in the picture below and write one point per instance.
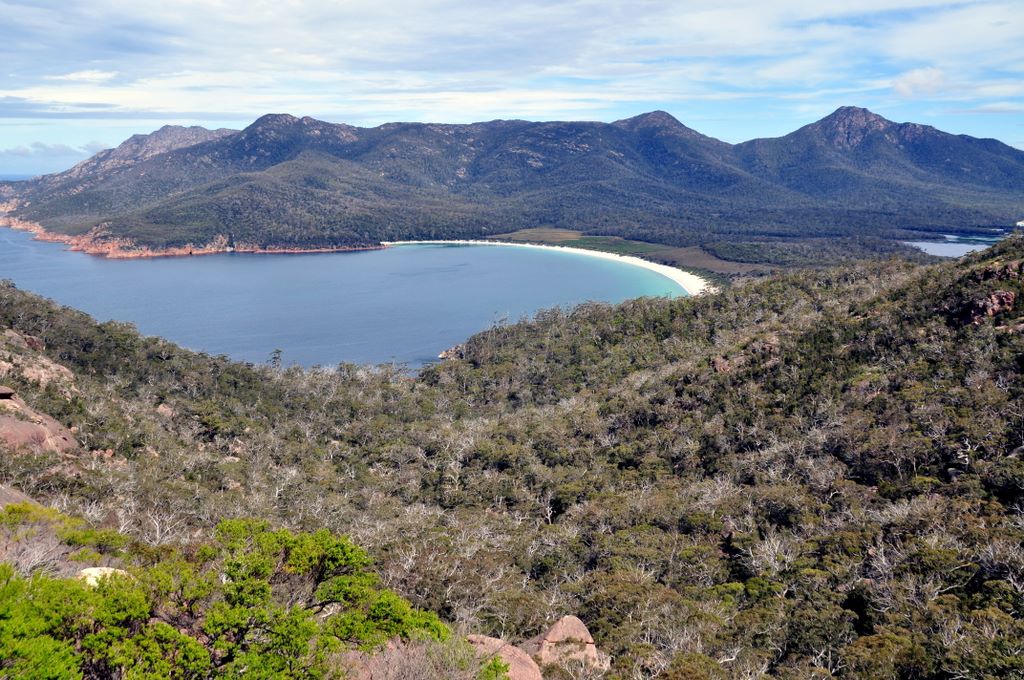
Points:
(80, 76)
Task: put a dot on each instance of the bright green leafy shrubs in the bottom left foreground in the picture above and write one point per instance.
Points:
(250, 603)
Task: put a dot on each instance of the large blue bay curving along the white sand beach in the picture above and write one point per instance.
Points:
(403, 305)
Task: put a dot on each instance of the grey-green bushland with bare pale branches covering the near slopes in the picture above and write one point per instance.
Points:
(813, 476)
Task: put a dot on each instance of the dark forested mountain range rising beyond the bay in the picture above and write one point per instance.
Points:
(291, 183)
